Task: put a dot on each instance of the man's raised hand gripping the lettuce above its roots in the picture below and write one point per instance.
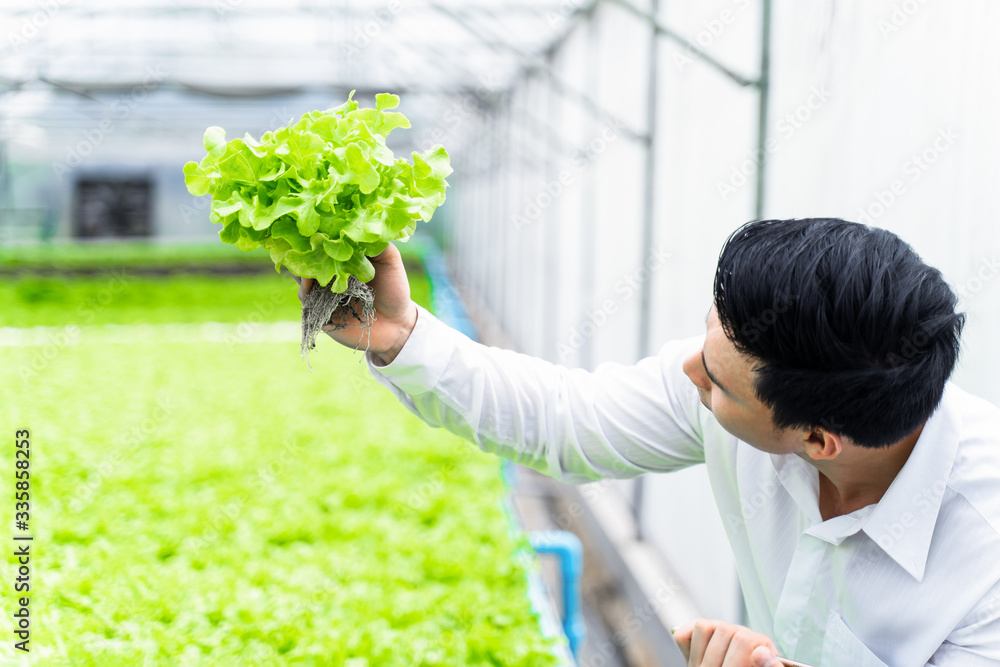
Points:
(395, 312)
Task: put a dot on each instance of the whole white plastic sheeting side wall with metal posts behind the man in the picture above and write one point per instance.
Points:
(880, 112)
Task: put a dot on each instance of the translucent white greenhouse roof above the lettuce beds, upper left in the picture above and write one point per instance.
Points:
(260, 48)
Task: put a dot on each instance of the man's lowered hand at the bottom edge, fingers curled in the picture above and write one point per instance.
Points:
(708, 643)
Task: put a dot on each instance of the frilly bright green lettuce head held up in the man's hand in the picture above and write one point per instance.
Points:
(323, 194)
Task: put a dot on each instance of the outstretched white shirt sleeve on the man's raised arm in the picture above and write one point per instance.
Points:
(577, 426)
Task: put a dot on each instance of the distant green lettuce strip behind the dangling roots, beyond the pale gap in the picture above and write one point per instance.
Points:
(36, 290)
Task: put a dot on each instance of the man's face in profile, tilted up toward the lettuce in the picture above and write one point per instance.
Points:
(724, 378)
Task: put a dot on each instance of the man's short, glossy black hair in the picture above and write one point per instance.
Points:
(849, 329)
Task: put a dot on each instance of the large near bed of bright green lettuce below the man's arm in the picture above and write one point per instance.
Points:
(218, 504)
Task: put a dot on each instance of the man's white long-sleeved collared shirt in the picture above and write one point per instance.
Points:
(909, 581)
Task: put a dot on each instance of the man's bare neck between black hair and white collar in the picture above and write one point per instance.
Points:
(860, 476)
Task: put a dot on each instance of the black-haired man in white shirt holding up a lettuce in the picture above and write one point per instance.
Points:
(821, 387)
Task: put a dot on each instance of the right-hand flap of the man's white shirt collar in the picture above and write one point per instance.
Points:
(902, 523)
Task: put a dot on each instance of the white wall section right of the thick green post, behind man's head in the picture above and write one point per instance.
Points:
(914, 99)
